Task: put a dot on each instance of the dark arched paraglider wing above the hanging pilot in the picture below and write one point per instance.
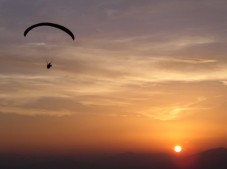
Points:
(52, 25)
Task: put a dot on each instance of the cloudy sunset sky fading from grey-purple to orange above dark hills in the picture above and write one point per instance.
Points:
(141, 76)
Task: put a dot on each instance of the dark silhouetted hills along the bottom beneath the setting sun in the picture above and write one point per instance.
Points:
(210, 159)
